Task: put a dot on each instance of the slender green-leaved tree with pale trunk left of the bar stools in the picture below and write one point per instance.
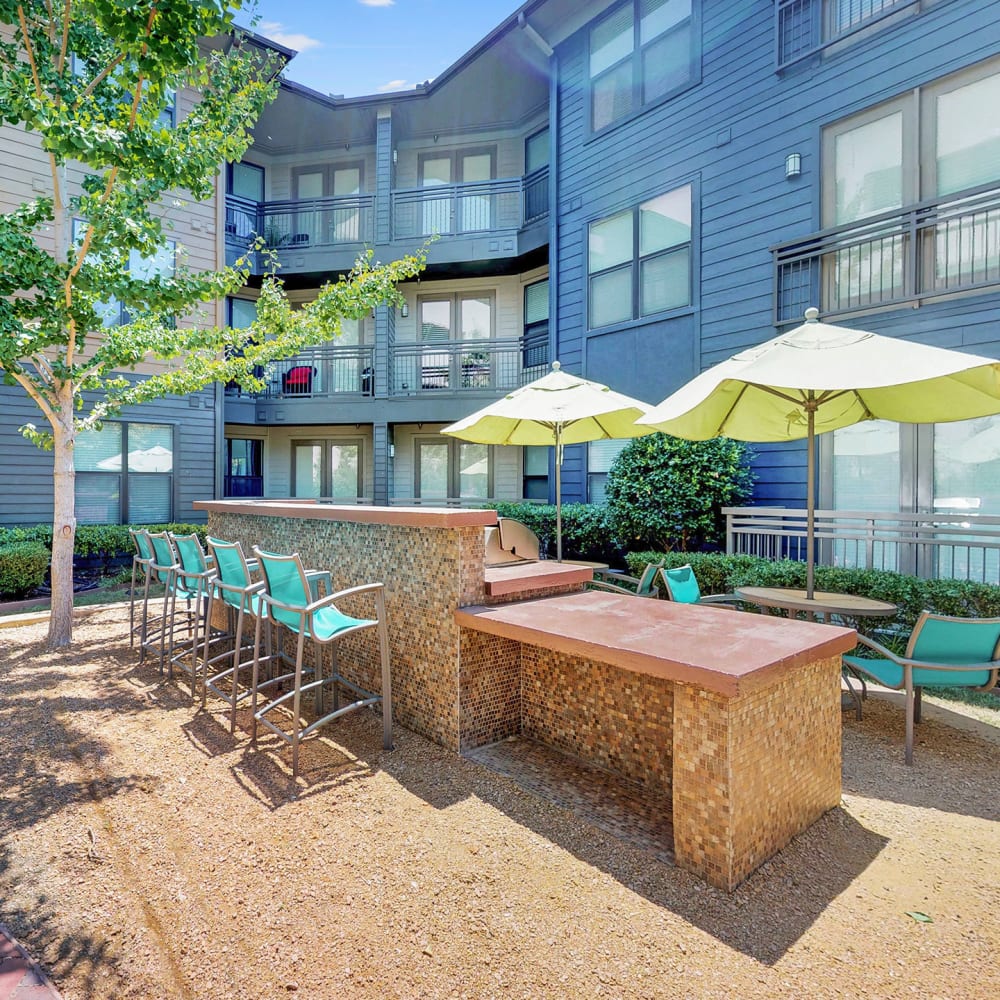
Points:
(90, 79)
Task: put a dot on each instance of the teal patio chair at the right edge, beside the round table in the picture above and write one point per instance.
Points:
(941, 652)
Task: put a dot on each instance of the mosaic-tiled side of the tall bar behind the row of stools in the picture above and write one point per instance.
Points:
(428, 572)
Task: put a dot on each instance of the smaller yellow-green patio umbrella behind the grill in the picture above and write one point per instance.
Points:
(556, 409)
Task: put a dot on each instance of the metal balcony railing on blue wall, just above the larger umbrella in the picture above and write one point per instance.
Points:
(926, 251)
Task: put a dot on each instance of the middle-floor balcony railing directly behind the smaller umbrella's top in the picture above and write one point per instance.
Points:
(458, 366)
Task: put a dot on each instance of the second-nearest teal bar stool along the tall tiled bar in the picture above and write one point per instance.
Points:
(234, 589)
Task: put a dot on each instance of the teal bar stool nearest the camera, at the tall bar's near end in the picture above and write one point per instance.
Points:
(288, 601)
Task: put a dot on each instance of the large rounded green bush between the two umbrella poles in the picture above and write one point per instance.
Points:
(667, 493)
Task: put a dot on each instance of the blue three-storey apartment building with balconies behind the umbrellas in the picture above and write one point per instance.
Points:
(638, 189)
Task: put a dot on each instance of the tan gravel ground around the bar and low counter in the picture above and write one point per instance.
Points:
(144, 852)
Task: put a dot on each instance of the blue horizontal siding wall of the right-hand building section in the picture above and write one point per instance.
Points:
(729, 135)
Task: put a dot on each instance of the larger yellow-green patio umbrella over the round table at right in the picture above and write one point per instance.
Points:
(819, 377)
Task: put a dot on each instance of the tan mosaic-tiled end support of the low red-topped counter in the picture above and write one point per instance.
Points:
(752, 772)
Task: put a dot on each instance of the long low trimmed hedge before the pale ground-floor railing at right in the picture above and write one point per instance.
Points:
(721, 574)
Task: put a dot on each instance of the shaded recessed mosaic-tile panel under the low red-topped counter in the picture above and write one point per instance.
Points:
(608, 717)
